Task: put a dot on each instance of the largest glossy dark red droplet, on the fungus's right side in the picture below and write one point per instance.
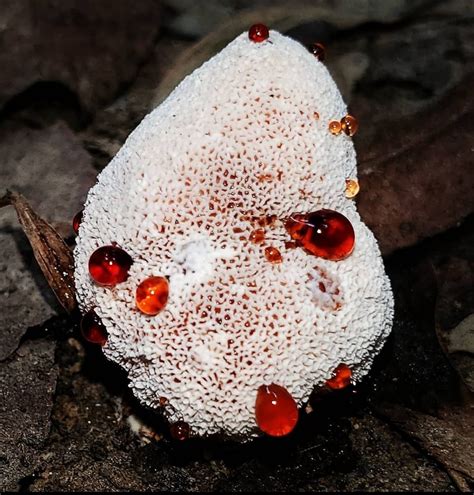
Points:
(324, 233)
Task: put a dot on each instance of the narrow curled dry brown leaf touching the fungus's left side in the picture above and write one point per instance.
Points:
(54, 257)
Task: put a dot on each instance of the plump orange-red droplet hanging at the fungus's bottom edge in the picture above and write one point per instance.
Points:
(276, 412)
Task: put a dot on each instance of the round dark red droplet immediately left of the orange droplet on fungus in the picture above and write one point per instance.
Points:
(109, 265)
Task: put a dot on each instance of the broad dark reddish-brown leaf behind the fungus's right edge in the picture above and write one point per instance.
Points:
(417, 171)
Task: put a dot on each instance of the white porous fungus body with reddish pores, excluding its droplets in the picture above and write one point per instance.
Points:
(237, 141)
